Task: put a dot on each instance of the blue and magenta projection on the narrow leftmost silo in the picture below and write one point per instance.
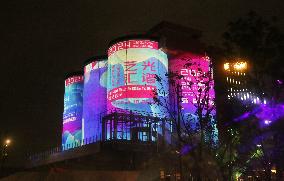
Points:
(72, 115)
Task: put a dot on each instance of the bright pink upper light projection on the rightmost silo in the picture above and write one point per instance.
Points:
(195, 70)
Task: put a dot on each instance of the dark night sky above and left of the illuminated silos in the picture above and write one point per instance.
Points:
(42, 40)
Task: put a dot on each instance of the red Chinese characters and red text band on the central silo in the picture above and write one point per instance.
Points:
(135, 84)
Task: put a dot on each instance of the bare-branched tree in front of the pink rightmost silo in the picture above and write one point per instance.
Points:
(191, 111)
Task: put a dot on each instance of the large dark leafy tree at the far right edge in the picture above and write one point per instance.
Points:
(261, 43)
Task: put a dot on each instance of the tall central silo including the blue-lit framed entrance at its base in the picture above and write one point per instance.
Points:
(133, 64)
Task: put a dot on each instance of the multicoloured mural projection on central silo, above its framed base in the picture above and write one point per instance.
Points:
(132, 69)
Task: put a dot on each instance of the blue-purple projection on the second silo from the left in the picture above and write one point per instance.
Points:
(94, 107)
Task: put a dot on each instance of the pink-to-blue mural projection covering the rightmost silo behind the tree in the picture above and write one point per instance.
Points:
(196, 77)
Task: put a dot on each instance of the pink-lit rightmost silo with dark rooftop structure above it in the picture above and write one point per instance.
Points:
(183, 46)
